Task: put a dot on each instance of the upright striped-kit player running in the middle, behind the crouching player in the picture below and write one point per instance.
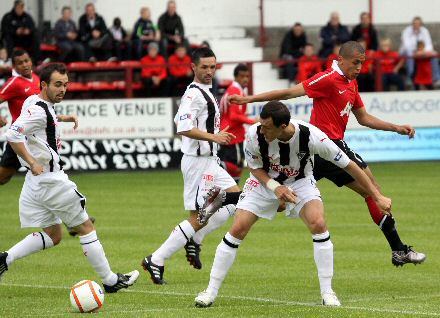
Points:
(198, 122)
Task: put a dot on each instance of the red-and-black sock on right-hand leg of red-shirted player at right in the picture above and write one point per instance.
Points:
(386, 224)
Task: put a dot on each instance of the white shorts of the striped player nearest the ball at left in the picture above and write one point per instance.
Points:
(49, 199)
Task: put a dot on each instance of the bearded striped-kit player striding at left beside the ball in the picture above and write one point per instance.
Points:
(48, 196)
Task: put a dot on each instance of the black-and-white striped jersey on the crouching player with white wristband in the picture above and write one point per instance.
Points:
(292, 160)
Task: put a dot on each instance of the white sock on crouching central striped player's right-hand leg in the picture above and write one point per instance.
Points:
(323, 253)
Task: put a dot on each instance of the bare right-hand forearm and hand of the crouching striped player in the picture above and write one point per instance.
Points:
(383, 202)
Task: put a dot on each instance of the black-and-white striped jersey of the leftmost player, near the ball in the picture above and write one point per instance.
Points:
(37, 128)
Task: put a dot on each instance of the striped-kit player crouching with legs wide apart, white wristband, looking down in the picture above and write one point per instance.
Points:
(279, 152)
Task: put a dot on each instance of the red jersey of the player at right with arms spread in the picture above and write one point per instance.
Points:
(333, 98)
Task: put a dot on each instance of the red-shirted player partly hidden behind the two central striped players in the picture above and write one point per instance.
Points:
(234, 117)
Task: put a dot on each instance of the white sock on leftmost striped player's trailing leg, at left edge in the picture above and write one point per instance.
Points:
(32, 243)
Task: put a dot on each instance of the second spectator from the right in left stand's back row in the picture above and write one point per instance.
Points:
(144, 32)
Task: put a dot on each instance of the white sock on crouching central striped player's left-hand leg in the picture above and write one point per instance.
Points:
(224, 258)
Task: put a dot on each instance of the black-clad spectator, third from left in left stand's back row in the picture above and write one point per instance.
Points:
(94, 35)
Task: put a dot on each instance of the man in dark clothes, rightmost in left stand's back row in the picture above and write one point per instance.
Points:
(171, 29)
